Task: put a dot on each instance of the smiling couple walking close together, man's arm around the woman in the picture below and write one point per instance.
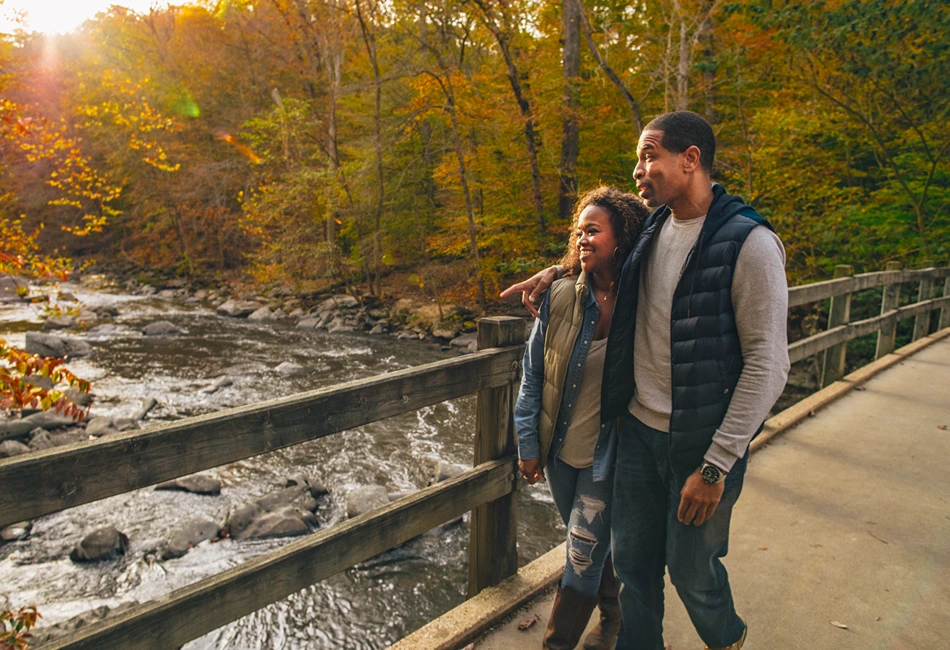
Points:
(649, 370)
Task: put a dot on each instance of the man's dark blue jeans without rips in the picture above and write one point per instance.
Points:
(647, 537)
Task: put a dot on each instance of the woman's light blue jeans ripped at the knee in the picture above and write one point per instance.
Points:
(584, 505)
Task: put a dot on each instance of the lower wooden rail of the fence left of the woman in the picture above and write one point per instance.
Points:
(195, 610)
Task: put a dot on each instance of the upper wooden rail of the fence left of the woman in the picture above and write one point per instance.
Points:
(40, 483)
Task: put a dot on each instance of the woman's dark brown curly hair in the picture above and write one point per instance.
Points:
(627, 214)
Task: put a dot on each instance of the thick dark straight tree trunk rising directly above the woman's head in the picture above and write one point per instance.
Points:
(570, 130)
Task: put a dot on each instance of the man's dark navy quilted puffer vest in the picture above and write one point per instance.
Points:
(705, 353)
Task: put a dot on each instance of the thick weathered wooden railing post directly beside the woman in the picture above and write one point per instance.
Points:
(493, 549)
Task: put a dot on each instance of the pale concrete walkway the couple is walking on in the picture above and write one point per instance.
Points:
(841, 538)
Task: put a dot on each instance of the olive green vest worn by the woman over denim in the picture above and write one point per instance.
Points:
(566, 306)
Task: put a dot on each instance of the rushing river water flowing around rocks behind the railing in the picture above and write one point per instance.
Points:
(368, 606)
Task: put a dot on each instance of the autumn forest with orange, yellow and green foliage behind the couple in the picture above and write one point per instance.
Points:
(436, 147)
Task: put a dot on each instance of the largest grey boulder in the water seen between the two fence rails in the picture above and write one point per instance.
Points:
(288, 511)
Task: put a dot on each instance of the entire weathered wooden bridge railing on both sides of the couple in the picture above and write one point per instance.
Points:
(41, 483)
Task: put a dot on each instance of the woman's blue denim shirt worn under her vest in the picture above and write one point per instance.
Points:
(528, 407)
